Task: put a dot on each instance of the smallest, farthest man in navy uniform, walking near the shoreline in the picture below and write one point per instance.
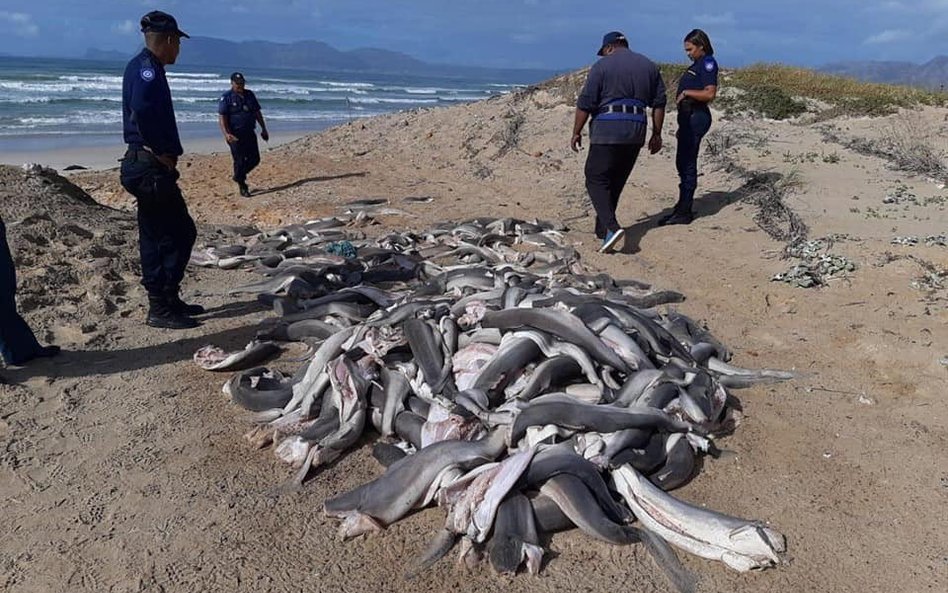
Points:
(239, 113)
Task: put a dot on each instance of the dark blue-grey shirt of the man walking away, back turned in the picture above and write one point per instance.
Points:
(623, 74)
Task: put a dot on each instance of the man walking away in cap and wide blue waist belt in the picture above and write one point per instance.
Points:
(618, 90)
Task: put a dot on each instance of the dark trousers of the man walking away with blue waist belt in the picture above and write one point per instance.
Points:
(608, 167)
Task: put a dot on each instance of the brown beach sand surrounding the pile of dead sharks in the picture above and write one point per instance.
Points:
(122, 467)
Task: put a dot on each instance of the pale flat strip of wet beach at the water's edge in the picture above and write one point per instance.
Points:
(106, 156)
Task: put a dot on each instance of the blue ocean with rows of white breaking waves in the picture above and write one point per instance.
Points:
(48, 104)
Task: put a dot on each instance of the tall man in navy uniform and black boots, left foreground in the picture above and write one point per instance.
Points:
(149, 172)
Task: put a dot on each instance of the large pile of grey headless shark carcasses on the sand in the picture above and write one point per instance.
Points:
(499, 380)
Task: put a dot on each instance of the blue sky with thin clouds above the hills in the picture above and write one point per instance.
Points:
(548, 34)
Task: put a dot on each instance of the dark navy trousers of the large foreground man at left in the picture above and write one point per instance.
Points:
(166, 231)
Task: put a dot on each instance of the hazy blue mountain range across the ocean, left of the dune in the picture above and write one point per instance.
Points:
(316, 55)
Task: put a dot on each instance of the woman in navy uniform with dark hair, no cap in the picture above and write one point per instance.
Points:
(697, 88)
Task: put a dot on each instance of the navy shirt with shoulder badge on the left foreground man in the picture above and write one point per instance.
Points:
(147, 112)
